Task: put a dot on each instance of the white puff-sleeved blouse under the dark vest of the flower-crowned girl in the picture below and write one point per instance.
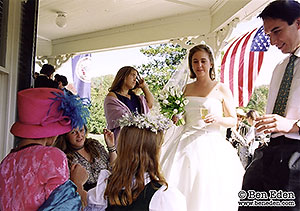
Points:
(162, 200)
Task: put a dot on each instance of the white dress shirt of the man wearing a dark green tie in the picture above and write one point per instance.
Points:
(293, 103)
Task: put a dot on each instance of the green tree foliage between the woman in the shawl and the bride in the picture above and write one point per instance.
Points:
(163, 61)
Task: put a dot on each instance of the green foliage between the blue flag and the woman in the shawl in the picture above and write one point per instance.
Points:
(99, 90)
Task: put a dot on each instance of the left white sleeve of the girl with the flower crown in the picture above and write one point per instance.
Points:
(95, 196)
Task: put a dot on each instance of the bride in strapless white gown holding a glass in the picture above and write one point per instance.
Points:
(199, 160)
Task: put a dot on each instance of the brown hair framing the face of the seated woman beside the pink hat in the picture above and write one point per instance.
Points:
(64, 145)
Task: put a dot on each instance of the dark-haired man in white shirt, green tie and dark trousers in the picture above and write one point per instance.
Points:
(276, 167)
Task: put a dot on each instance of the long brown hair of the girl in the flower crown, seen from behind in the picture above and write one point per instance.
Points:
(138, 153)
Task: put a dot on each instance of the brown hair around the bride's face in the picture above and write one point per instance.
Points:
(206, 49)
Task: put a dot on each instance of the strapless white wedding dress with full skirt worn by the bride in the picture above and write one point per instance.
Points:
(199, 161)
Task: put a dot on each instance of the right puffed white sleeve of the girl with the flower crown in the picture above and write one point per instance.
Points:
(167, 200)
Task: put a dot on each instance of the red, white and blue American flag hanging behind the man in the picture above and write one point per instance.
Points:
(242, 62)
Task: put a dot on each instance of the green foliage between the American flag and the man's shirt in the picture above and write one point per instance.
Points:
(258, 99)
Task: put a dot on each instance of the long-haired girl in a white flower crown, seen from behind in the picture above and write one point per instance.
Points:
(136, 182)
